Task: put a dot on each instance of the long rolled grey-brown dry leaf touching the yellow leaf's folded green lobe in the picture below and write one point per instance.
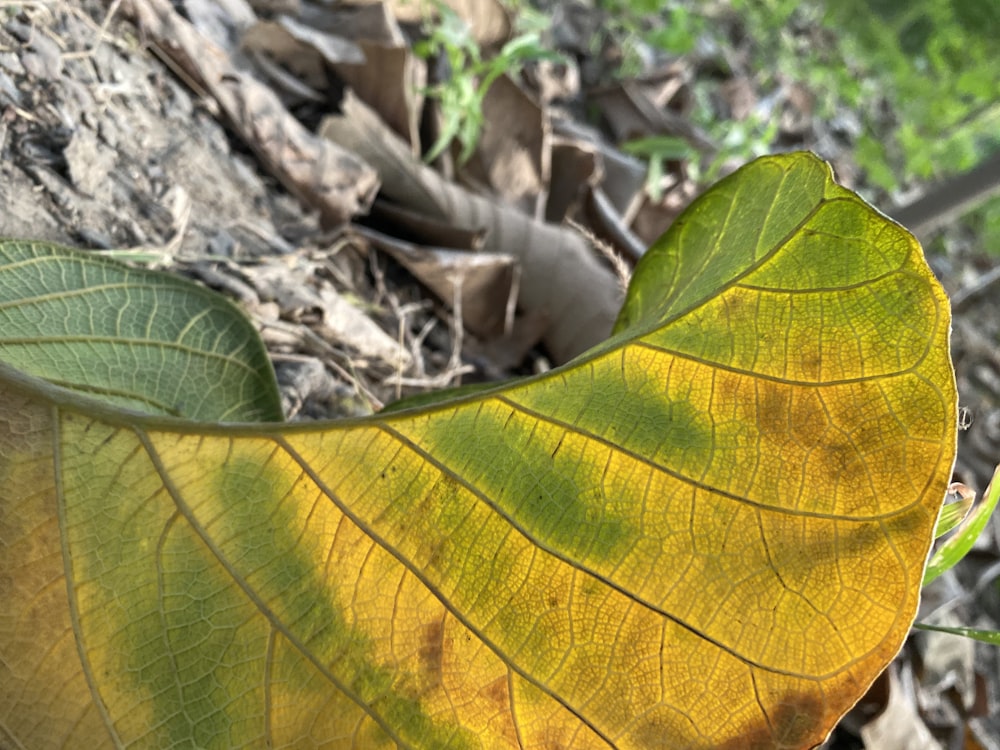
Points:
(561, 275)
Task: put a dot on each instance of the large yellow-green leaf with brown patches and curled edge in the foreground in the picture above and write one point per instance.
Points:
(707, 533)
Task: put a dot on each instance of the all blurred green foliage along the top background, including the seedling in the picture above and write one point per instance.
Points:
(900, 95)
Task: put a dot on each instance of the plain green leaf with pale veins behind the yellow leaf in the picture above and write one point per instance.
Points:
(137, 339)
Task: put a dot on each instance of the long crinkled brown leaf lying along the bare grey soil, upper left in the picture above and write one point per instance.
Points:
(318, 172)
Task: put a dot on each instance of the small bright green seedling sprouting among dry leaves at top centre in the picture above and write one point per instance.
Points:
(471, 73)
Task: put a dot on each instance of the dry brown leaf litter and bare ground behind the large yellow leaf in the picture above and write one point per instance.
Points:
(273, 151)
